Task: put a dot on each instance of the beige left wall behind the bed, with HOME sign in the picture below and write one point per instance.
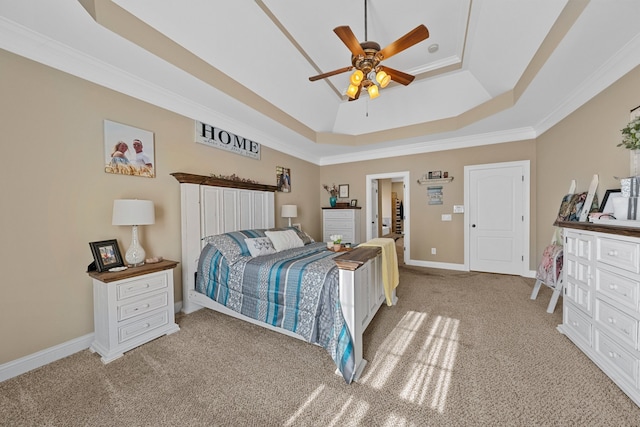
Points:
(56, 198)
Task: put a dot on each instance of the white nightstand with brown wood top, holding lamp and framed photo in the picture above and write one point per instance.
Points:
(132, 307)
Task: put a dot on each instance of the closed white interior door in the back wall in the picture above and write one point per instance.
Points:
(497, 197)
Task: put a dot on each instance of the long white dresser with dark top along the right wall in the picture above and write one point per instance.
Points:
(601, 304)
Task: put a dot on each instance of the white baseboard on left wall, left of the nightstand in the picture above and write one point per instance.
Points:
(44, 357)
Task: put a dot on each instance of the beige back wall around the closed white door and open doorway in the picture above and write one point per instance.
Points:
(427, 229)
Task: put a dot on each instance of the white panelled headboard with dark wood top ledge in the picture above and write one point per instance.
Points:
(212, 206)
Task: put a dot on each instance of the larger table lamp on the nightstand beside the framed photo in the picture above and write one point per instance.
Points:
(133, 212)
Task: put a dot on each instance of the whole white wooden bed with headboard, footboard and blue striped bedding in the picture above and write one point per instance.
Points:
(336, 294)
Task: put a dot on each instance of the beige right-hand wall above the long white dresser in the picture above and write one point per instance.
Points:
(584, 144)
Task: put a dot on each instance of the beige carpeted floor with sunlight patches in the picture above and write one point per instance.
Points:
(459, 349)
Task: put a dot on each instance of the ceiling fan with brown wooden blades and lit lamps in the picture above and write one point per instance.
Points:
(367, 56)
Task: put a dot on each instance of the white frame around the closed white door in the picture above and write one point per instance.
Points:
(526, 208)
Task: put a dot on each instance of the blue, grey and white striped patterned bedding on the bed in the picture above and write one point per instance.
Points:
(295, 289)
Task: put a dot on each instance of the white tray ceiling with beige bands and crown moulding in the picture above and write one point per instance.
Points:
(504, 70)
